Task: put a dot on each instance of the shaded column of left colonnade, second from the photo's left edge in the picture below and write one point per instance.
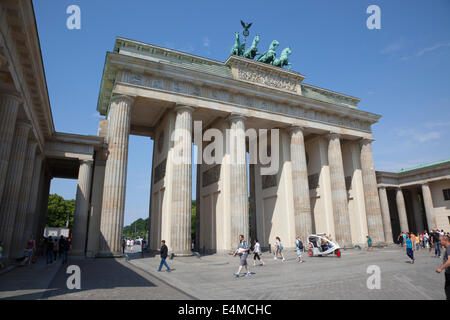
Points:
(10, 199)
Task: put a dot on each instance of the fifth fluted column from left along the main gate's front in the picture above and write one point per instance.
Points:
(338, 192)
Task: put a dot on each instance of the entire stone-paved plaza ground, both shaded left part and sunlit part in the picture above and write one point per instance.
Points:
(211, 277)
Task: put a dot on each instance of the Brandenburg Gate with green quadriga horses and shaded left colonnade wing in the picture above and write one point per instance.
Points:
(289, 158)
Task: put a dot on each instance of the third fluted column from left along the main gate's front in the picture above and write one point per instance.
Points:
(238, 180)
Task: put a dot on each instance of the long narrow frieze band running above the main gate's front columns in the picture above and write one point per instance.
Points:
(231, 97)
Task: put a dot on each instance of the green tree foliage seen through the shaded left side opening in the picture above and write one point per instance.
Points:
(59, 210)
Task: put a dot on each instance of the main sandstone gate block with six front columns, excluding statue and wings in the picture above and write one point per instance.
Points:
(325, 180)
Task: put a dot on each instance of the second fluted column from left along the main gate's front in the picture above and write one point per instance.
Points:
(182, 182)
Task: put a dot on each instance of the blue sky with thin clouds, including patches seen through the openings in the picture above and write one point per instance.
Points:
(400, 71)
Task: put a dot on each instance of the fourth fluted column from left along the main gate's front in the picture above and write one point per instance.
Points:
(302, 206)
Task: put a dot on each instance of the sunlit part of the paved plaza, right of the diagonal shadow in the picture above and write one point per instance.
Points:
(211, 277)
